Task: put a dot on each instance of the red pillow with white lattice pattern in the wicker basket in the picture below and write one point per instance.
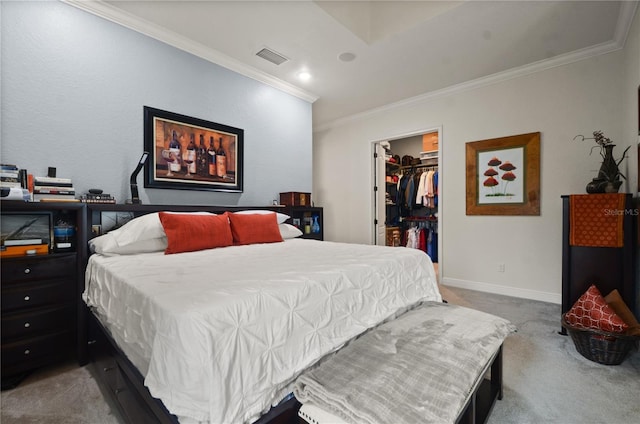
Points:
(592, 312)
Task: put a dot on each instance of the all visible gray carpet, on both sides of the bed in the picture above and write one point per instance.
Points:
(546, 380)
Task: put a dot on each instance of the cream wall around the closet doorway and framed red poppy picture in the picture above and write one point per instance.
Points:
(561, 102)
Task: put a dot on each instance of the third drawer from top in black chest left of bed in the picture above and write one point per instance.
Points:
(26, 325)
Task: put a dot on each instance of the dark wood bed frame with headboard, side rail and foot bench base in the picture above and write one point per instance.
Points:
(124, 385)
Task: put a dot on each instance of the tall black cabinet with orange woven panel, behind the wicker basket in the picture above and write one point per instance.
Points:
(607, 267)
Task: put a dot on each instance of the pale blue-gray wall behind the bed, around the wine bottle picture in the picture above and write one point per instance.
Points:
(73, 90)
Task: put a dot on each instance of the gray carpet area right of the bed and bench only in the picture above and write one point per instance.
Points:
(546, 380)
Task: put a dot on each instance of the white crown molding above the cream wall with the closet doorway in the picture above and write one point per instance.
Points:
(625, 20)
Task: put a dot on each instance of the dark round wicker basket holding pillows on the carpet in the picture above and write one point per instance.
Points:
(600, 346)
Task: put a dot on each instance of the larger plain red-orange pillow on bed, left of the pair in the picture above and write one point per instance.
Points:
(187, 233)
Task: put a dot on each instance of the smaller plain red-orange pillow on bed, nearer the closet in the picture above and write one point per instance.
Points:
(254, 228)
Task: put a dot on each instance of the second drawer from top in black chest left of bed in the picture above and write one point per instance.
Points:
(28, 295)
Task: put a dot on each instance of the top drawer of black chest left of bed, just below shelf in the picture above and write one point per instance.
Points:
(38, 268)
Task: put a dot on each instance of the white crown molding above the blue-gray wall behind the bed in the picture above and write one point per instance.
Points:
(110, 13)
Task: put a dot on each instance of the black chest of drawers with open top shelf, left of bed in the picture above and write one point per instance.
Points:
(41, 296)
